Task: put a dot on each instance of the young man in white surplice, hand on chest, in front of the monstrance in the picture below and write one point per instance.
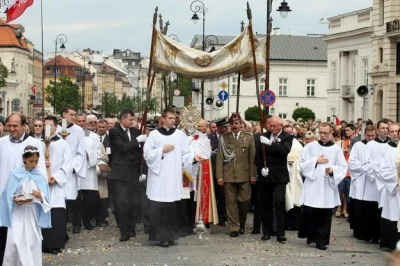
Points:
(166, 152)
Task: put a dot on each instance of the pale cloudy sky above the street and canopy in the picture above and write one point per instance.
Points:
(104, 25)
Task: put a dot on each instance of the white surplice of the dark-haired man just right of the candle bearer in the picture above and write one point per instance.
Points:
(76, 141)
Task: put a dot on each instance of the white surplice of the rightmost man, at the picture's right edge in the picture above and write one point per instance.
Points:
(387, 174)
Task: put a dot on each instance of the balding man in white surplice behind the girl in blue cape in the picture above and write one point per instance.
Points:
(15, 142)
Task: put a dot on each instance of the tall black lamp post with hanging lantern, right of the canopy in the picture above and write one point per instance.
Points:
(283, 9)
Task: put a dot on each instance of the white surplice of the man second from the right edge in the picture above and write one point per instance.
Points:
(370, 167)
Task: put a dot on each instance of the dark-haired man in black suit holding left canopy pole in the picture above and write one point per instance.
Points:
(126, 148)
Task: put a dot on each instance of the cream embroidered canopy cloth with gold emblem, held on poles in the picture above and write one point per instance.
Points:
(233, 57)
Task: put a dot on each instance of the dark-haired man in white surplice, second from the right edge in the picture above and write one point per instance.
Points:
(373, 207)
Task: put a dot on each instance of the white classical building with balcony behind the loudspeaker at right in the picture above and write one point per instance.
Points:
(349, 62)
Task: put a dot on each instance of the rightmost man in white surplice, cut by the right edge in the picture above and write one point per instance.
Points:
(388, 175)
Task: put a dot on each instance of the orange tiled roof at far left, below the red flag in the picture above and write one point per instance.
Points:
(8, 37)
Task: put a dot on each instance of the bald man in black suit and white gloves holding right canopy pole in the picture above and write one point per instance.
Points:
(273, 177)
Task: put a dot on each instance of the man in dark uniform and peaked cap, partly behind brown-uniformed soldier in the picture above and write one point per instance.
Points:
(222, 128)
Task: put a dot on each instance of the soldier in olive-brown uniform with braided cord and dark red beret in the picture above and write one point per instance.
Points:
(235, 171)
